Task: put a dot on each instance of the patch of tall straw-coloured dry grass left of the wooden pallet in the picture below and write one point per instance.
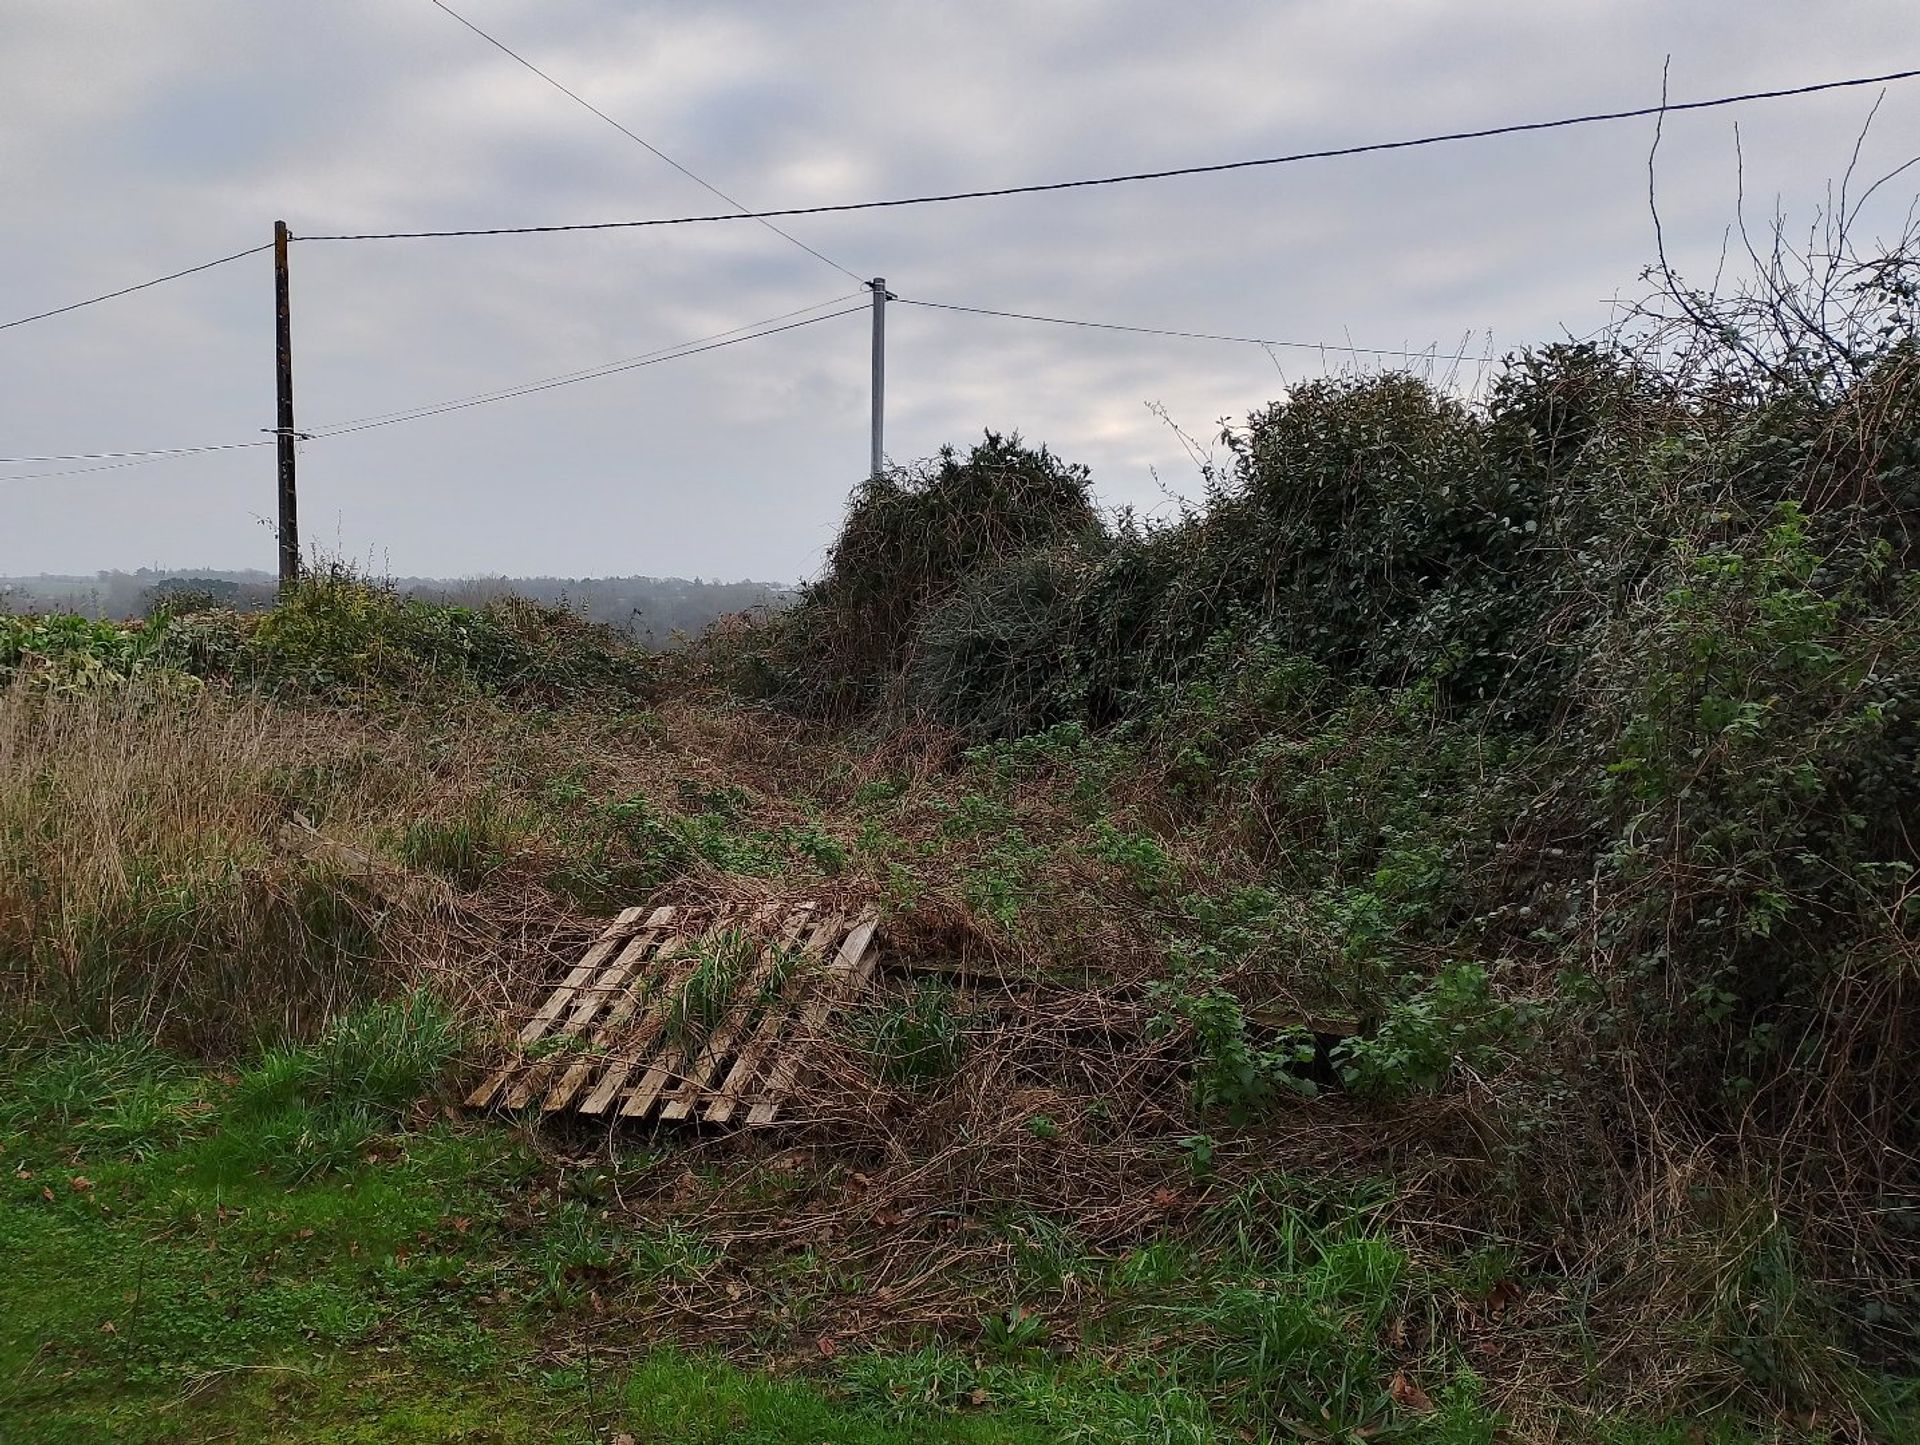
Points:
(151, 884)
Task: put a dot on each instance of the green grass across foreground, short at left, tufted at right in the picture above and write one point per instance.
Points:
(279, 1256)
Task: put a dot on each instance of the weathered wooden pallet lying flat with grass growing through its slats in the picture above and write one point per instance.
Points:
(615, 1039)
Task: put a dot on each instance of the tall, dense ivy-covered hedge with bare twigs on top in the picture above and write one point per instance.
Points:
(1577, 726)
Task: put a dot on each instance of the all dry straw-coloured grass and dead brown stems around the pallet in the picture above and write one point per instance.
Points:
(145, 888)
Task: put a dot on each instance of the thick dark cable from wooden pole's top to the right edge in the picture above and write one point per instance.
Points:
(1335, 153)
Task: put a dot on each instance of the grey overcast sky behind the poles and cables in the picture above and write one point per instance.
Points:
(145, 135)
